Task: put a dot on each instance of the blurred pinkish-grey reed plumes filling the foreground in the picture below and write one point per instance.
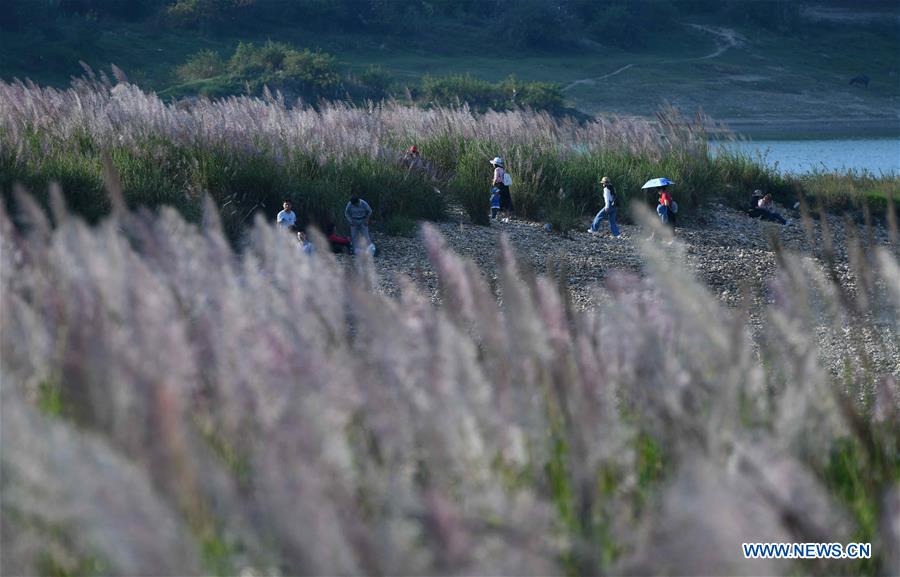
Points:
(171, 407)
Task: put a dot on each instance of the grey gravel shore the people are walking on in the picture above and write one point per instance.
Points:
(729, 252)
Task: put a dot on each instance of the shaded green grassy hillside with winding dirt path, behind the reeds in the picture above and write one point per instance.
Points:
(739, 71)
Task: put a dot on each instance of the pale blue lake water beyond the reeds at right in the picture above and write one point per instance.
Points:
(875, 155)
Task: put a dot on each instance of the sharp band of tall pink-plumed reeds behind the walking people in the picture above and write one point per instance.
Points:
(250, 153)
